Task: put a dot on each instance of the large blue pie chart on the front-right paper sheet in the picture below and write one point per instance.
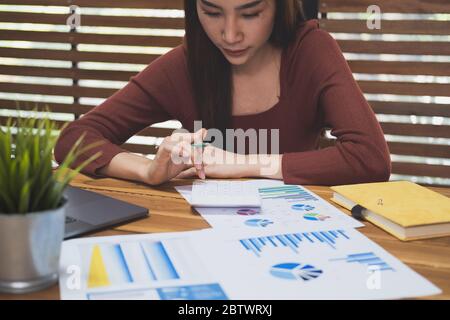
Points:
(295, 271)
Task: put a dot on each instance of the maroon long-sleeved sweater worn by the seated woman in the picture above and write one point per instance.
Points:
(317, 91)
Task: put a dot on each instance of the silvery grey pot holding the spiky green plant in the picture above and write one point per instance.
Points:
(30, 246)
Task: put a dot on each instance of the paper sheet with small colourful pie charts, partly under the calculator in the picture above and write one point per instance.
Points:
(282, 206)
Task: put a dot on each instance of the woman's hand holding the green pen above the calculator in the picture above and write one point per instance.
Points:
(175, 155)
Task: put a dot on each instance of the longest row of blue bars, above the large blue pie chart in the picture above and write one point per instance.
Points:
(293, 241)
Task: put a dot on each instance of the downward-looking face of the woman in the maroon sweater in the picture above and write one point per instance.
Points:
(239, 28)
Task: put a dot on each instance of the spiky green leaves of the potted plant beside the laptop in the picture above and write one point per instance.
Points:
(28, 182)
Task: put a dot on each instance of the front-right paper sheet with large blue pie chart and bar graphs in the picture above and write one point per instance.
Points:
(297, 264)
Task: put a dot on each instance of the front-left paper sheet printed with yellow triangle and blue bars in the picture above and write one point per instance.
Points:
(162, 267)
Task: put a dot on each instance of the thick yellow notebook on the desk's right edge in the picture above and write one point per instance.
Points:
(402, 208)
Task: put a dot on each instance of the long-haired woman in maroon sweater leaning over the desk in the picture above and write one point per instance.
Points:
(244, 64)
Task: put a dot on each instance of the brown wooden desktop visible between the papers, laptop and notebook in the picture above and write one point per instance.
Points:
(170, 212)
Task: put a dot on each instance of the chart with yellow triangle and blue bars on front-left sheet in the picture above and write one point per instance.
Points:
(136, 262)
